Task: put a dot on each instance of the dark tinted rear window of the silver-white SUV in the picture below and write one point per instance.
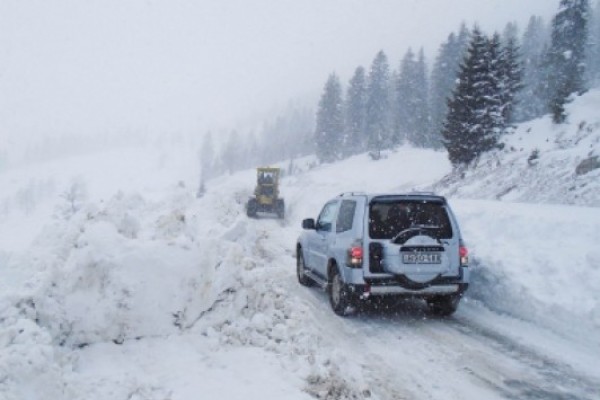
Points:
(388, 218)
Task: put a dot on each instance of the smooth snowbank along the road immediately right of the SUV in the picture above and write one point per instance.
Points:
(538, 262)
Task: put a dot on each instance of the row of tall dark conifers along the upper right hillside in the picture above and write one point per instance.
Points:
(479, 86)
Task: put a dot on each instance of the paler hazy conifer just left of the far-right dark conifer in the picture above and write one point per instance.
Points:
(531, 101)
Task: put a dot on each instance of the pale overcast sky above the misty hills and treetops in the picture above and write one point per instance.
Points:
(91, 66)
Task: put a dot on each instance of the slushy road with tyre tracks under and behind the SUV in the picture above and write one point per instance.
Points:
(478, 353)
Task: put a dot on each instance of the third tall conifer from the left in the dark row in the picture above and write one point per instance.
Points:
(378, 117)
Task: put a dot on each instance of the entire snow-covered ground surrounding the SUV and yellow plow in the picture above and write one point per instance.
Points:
(116, 282)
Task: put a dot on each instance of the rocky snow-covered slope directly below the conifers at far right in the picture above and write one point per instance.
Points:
(541, 162)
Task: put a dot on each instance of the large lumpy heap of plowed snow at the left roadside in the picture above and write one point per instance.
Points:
(126, 270)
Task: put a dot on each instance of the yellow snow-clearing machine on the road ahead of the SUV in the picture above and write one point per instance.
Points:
(266, 194)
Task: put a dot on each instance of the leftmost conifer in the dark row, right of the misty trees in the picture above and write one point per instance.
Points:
(330, 121)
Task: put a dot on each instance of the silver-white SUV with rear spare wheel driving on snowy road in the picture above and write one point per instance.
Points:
(385, 245)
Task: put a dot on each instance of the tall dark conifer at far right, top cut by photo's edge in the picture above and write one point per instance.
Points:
(566, 56)
